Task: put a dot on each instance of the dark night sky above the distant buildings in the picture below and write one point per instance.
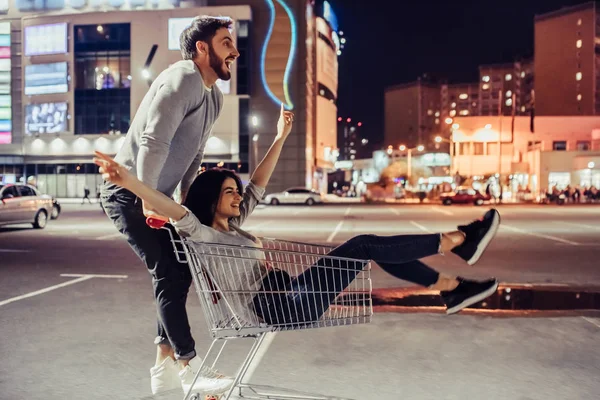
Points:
(392, 41)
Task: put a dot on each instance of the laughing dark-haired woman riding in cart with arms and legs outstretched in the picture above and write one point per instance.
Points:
(216, 206)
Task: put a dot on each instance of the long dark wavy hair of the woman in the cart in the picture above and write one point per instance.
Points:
(204, 193)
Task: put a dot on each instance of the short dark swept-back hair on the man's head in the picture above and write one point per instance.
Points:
(203, 28)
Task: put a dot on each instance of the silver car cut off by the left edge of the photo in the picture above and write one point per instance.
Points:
(24, 204)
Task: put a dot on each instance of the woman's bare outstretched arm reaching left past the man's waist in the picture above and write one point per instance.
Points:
(119, 175)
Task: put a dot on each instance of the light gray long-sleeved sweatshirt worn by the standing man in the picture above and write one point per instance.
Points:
(165, 142)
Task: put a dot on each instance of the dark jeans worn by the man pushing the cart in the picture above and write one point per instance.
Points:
(170, 278)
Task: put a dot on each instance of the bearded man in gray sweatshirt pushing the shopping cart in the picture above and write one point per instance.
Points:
(164, 148)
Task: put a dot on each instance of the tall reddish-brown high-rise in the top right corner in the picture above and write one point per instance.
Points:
(567, 61)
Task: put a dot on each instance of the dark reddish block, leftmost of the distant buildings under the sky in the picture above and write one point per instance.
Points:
(412, 114)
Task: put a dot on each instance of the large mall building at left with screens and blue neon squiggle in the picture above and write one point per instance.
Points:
(72, 77)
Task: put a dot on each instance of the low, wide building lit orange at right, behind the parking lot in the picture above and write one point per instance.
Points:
(562, 151)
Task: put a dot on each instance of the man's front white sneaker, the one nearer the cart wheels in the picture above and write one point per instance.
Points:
(209, 381)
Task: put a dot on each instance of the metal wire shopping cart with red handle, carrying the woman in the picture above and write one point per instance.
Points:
(222, 275)
